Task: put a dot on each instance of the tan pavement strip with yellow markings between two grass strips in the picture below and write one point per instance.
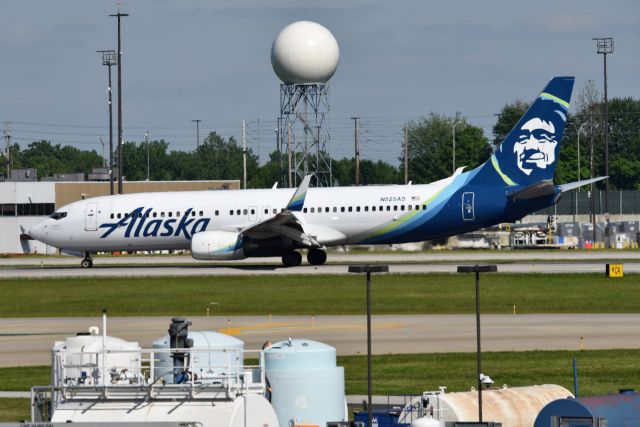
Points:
(28, 341)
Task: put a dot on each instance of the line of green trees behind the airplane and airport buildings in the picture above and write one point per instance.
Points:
(430, 151)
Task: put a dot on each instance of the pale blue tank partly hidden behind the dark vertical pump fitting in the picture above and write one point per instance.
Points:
(217, 355)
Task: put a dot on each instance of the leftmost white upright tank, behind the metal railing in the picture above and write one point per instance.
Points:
(82, 359)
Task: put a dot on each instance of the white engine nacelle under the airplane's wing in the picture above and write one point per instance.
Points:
(217, 245)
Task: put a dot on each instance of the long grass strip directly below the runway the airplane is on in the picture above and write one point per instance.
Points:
(309, 295)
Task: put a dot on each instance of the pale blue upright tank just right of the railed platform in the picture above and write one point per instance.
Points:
(307, 388)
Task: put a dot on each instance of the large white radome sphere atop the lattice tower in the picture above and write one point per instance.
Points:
(304, 52)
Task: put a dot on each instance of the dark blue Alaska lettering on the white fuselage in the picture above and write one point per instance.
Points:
(140, 224)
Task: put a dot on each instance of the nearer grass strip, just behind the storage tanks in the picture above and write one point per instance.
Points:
(600, 371)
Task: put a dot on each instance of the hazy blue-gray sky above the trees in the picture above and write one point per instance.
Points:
(210, 60)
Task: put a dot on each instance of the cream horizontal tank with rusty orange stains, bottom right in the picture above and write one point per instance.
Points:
(511, 406)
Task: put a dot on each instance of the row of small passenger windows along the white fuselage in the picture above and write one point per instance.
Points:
(274, 211)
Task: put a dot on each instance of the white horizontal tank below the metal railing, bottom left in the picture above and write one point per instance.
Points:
(228, 413)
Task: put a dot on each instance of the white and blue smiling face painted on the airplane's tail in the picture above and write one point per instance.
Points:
(536, 145)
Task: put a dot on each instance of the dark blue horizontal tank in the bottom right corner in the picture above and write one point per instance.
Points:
(619, 409)
